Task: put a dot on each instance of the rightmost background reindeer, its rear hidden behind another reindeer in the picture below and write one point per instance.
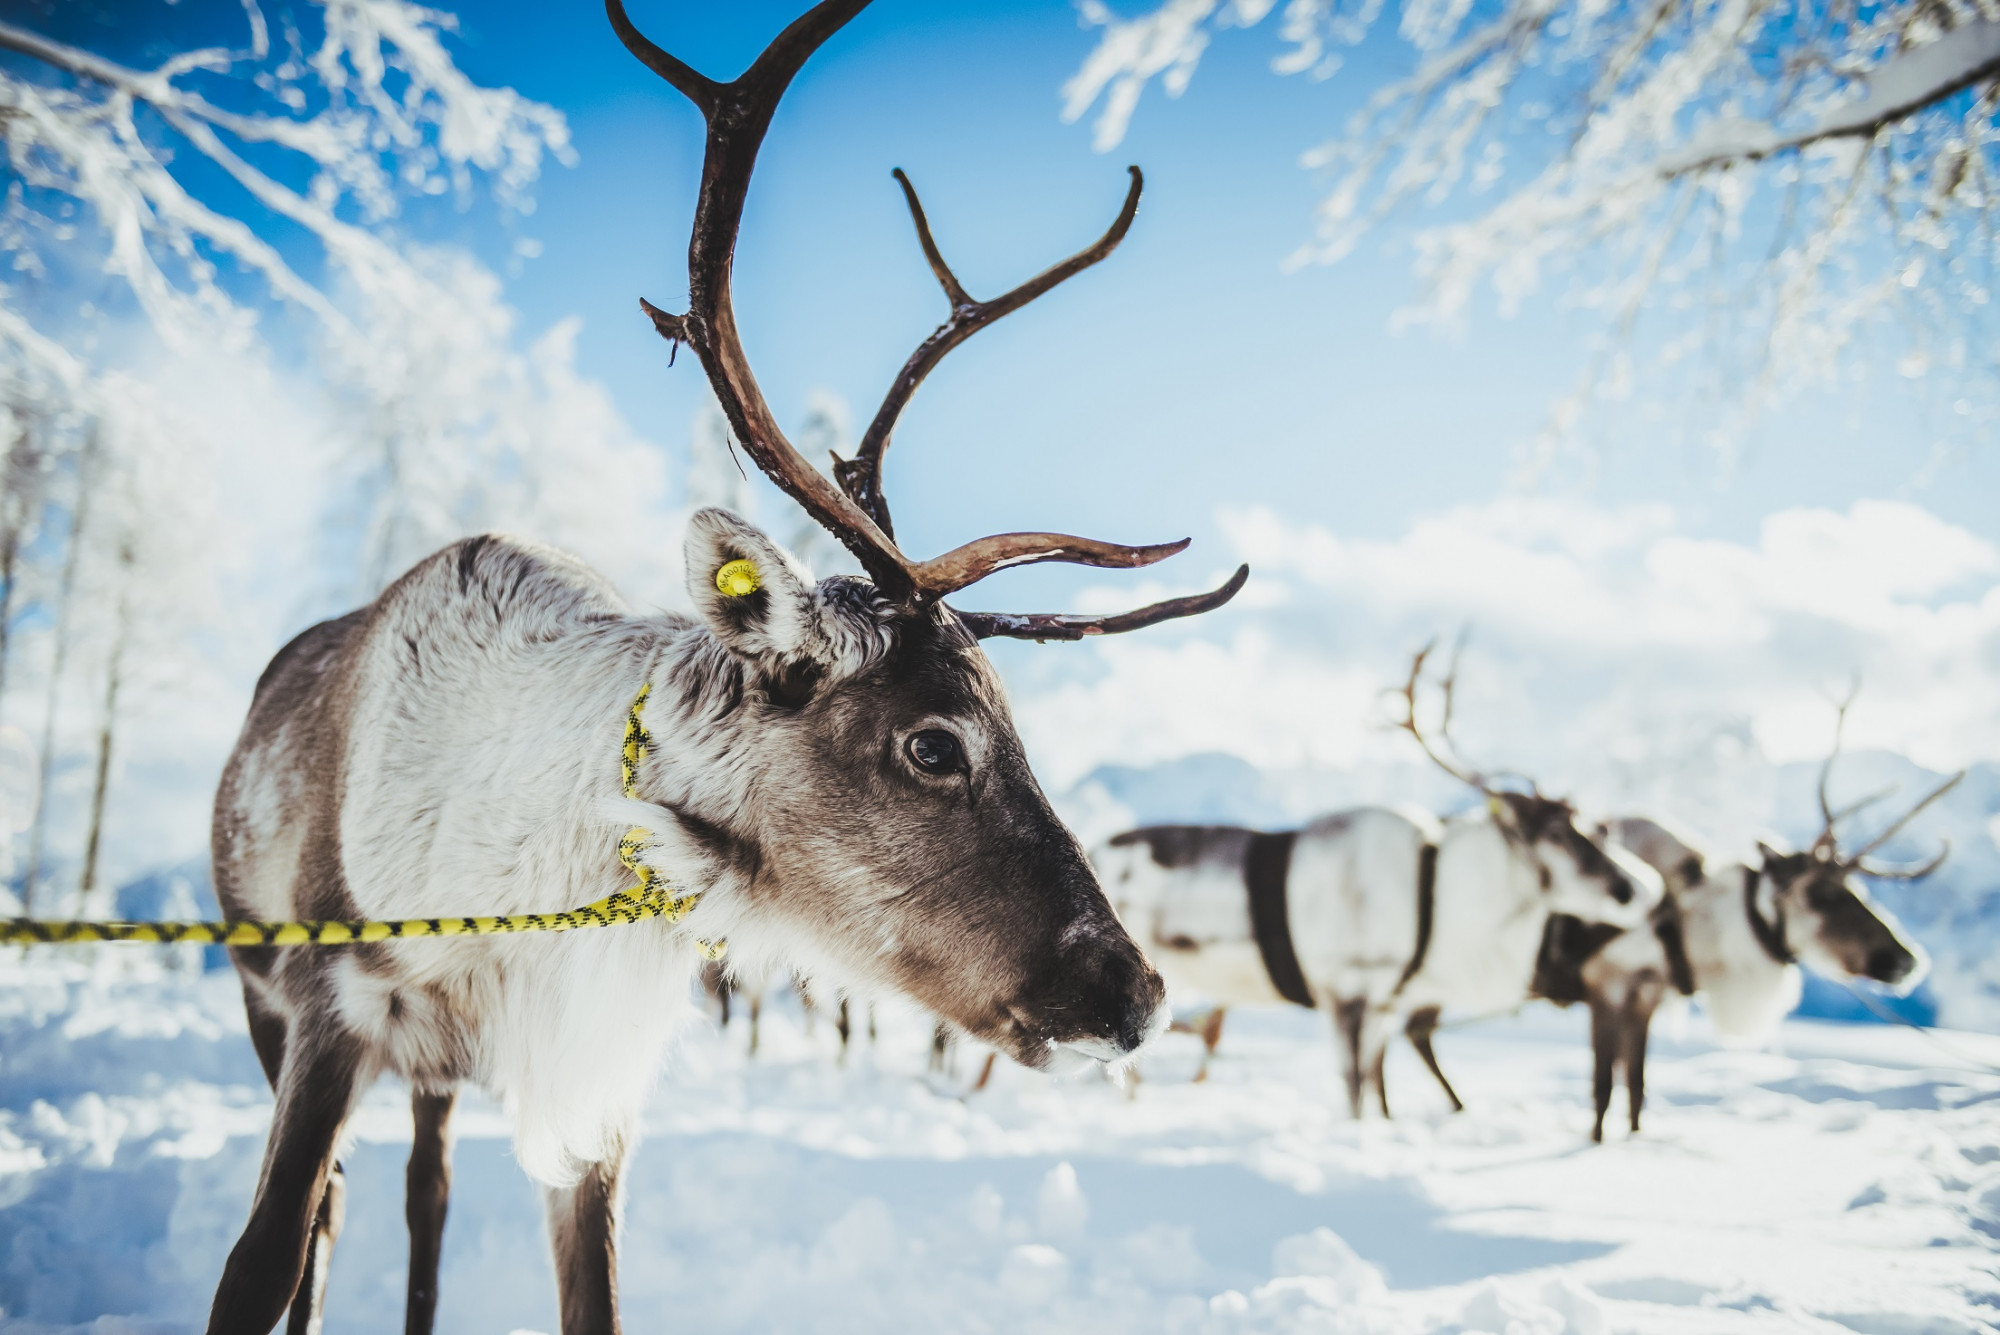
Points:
(1745, 934)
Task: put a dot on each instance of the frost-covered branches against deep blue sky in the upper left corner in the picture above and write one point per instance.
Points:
(377, 109)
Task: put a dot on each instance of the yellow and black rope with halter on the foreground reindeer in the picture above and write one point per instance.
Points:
(645, 900)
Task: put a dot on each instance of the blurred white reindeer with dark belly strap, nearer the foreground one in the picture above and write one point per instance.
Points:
(1377, 916)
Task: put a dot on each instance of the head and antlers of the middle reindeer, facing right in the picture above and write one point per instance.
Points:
(1581, 874)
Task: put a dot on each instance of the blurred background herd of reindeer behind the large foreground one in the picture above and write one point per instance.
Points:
(1387, 918)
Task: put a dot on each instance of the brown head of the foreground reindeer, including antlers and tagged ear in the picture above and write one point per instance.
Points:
(893, 818)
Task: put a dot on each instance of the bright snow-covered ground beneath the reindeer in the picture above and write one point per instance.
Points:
(1851, 1184)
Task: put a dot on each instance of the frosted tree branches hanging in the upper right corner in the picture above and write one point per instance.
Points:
(1777, 185)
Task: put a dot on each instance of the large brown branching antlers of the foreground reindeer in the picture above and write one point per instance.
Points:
(737, 117)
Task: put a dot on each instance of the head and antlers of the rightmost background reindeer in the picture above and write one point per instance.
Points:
(1809, 906)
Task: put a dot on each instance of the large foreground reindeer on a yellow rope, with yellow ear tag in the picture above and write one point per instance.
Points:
(825, 774)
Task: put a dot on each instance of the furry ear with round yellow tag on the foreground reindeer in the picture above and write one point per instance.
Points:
(755, 595)
